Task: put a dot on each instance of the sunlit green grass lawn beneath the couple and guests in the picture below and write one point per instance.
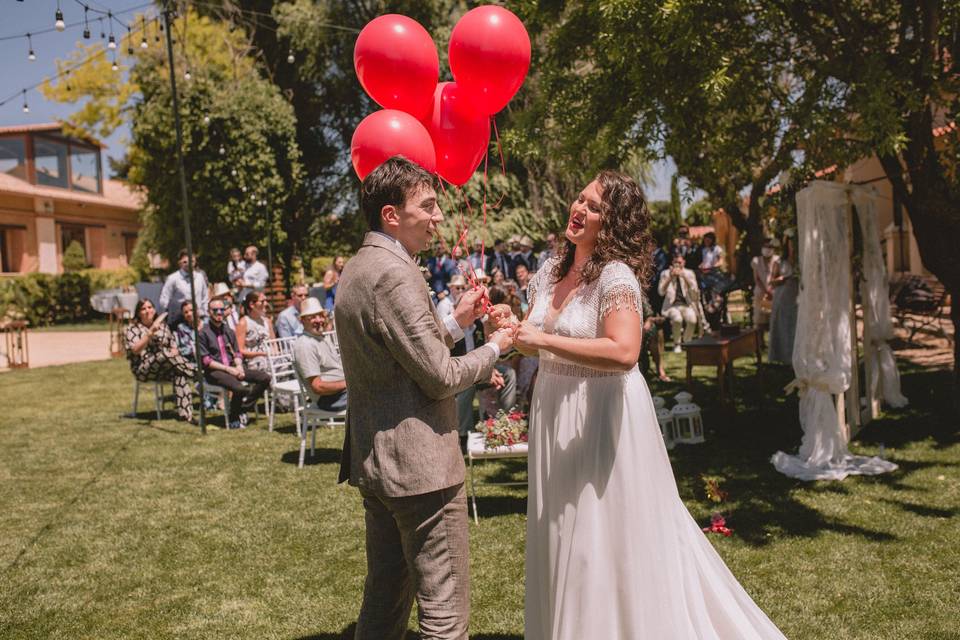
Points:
(131, 528)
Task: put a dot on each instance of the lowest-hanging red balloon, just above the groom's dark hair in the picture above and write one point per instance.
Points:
(388, 133)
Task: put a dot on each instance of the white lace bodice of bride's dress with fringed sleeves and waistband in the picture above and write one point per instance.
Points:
(583, 315)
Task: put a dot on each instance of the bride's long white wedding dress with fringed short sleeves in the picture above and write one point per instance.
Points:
(612, 552)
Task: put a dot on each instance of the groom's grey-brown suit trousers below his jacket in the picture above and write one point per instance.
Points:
(417, 547)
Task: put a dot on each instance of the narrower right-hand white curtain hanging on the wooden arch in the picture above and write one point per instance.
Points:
(882, 368)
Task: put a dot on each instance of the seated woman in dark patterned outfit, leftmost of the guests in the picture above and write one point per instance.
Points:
(153, 354)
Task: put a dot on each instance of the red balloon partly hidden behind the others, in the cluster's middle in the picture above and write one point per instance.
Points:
(460, 135)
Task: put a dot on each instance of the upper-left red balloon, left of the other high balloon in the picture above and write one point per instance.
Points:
(397, 64)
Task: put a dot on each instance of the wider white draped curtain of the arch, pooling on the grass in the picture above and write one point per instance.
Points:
(822, 351)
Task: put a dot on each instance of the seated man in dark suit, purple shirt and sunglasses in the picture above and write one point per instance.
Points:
(223, 366)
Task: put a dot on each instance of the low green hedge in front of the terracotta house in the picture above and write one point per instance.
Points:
(44, 299)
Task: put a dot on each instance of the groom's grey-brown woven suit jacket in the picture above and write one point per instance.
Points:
(401, 434)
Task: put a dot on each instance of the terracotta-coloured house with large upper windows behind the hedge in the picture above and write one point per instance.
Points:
(52, 192)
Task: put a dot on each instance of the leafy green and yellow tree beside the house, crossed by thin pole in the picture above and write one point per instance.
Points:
(241, 167)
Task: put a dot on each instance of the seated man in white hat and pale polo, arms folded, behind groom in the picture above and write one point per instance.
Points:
(317, 361)
